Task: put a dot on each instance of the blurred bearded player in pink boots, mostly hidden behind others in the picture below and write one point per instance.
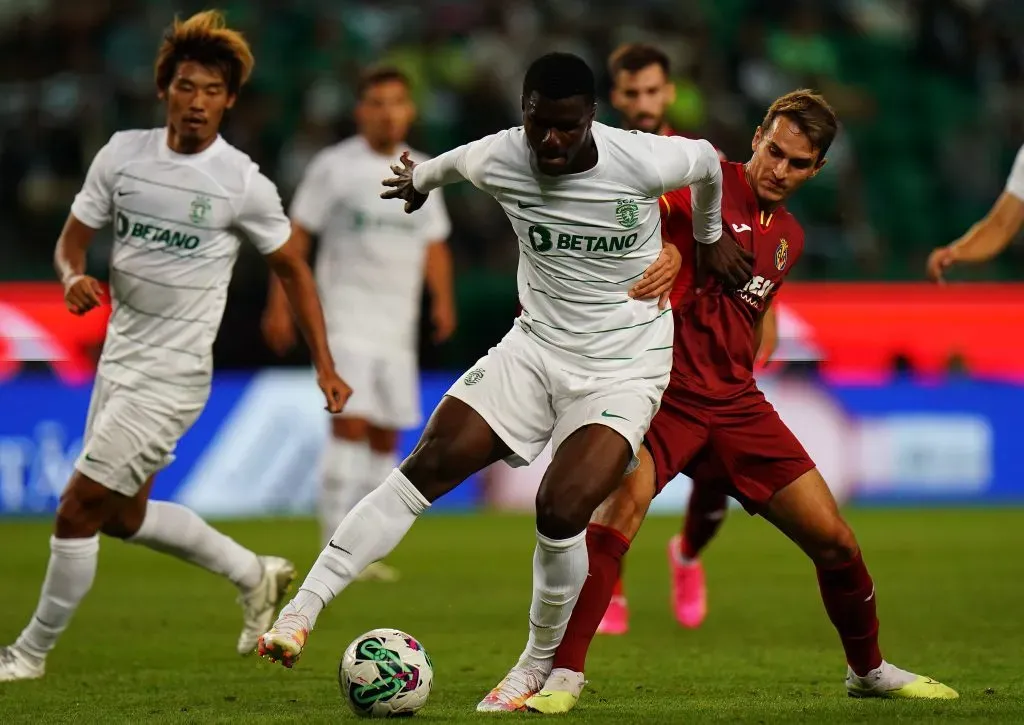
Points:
(643, 92)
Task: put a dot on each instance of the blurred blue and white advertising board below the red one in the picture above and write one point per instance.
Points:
(255, 449)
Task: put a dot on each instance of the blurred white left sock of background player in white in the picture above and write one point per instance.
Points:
(344, 482)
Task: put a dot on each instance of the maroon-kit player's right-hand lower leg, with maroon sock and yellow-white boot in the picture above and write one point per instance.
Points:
(807, 514)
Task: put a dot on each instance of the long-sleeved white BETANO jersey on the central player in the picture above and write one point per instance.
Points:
(585, 240)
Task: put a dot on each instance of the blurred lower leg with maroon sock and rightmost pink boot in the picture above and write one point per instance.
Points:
(705, 514)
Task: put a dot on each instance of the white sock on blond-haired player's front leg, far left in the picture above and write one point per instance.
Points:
(69, 578)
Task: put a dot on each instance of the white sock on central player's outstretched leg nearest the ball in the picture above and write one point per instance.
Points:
(369, 533)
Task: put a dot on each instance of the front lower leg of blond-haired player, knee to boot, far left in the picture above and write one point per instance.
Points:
(72, 569)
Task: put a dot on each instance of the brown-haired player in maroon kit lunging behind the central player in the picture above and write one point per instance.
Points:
(716, 425)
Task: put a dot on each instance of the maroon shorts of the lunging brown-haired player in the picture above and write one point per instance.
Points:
(740, 446)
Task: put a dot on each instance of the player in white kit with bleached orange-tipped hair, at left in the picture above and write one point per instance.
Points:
(181, 200)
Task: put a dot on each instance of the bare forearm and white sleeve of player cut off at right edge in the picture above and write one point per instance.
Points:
(987, 239)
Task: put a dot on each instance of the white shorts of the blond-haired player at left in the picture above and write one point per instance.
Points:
(131, 437)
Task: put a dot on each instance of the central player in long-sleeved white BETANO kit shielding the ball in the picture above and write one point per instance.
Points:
(585, 364)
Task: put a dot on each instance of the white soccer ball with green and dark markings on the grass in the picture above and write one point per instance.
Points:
(386, 674)
